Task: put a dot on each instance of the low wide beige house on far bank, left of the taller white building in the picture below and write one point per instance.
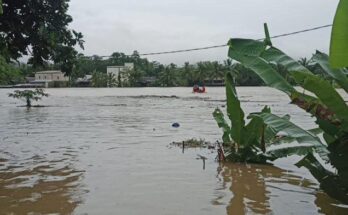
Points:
(52, 78)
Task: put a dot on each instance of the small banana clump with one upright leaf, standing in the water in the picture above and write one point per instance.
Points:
(258, 141)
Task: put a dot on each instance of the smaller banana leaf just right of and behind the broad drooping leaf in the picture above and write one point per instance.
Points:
(275, 55)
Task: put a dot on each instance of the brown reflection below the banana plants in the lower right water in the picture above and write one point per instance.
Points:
(256, 188)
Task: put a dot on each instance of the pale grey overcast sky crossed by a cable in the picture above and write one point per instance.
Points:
(163, 25)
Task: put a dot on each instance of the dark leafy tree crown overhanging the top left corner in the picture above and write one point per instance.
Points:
(40, 29)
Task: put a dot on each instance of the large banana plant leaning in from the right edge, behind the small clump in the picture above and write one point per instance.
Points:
(327, 105)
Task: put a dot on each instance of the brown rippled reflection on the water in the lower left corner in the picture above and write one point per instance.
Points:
(39, 186)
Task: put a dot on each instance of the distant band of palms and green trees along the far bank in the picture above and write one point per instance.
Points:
(165, 75)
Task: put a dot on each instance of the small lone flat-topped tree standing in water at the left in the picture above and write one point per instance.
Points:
(28, 95)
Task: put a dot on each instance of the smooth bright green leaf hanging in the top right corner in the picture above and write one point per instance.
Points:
(339, 37)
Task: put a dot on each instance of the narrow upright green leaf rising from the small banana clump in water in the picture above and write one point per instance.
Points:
(234, 110)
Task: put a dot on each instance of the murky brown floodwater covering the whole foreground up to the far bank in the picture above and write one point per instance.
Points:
(107, 151)
